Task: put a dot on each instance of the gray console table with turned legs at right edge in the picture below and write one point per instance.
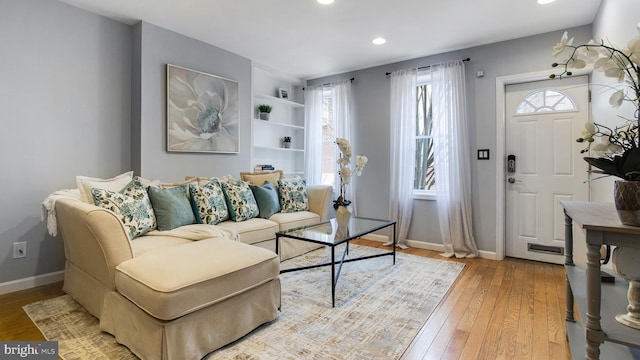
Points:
(597, 302)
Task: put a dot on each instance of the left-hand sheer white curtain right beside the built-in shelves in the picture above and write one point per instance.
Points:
(313, 134)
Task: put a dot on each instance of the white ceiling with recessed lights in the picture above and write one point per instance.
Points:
(307, 40)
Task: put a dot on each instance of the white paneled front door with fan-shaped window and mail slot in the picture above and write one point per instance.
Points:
(544, 119)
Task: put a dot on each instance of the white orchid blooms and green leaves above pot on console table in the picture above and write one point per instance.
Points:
(619, 147)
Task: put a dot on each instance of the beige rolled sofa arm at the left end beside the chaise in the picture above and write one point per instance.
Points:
(95, 240)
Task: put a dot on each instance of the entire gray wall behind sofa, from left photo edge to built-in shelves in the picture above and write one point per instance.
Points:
(85, 95)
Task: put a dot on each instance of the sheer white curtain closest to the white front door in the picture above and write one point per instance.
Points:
(452, 159)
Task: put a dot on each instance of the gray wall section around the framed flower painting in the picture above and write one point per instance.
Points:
(156, 47)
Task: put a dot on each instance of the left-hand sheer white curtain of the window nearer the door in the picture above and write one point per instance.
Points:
(402, 140)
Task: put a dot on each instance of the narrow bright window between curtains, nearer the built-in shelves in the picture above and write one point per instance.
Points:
(328, 139)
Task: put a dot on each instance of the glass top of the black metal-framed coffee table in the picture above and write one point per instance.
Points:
(325, 232)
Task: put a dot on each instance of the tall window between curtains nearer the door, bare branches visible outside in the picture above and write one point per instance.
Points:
(424, 183)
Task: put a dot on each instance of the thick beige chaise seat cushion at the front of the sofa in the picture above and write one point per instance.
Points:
(174, 281)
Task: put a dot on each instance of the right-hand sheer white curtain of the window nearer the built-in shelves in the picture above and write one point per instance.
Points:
(342, 123)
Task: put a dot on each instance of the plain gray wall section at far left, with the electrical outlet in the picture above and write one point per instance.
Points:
(66, 110)
